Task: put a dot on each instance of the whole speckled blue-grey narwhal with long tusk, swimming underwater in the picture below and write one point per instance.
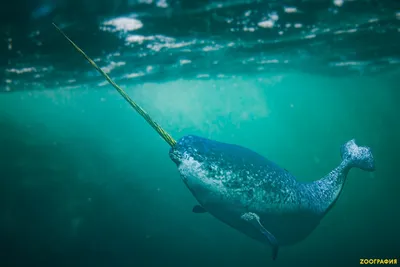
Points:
(249, 192)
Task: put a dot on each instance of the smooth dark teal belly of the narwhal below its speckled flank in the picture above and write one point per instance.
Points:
(288, 224)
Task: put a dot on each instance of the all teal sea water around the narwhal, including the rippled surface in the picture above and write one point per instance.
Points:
(85, 181)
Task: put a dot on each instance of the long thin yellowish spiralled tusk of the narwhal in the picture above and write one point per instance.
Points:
(135, 106)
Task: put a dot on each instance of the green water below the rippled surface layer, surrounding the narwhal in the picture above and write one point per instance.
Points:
(86, 182)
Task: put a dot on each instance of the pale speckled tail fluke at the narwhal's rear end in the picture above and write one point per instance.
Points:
(357, 156)
